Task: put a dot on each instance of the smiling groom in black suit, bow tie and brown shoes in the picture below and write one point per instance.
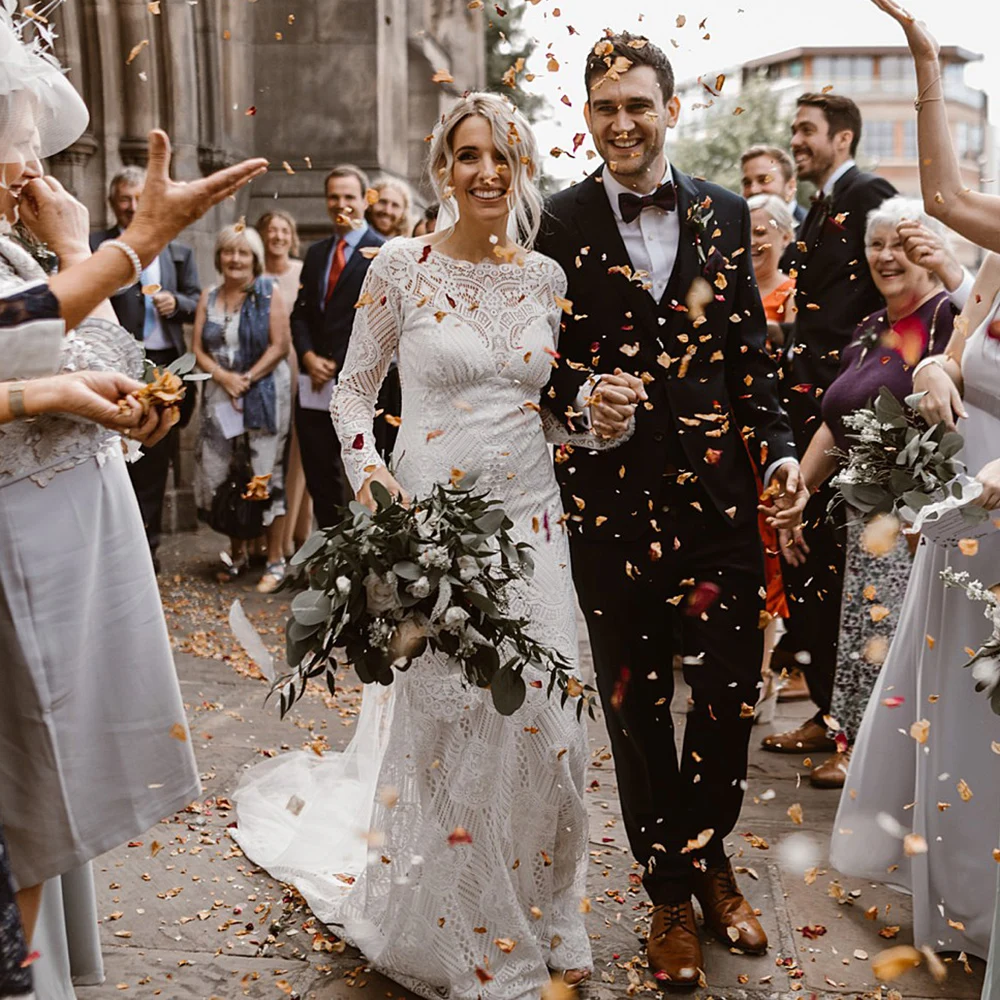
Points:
(666, 552)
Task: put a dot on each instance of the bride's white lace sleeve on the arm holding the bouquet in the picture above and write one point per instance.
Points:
(374, 339)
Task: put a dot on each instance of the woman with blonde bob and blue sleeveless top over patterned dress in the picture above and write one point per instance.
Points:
(241, 339)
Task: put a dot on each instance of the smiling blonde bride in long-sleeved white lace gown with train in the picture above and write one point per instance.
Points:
(447, 841)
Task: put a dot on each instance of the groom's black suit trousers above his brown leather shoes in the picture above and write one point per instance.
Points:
(636, 628)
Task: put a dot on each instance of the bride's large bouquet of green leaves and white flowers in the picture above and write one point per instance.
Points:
(387, 585)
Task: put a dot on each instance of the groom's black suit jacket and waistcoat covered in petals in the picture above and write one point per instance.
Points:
(708, 381)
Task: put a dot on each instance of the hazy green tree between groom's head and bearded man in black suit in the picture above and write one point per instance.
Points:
(732, 124)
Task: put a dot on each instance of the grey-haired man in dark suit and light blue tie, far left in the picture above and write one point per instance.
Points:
(155, 316)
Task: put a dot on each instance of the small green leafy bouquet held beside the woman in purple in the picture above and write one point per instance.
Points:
(897, 460)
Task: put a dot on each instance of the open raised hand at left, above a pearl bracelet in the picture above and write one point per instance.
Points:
(166, 206)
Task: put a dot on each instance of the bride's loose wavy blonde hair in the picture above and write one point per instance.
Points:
(512, 136)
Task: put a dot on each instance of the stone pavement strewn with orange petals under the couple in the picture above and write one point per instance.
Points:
(185, 915)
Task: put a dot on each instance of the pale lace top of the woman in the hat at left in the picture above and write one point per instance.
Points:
(49, 444)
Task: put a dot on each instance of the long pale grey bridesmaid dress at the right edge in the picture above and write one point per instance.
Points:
(924, 786)
